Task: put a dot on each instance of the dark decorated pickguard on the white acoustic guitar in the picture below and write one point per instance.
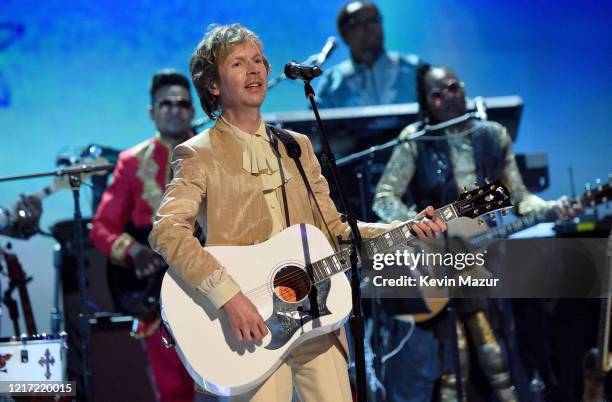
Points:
(287, 318)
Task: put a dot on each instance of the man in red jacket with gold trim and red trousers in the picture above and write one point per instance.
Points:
(124, 217)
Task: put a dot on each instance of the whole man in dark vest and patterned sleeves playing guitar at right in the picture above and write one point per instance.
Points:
(433, 169)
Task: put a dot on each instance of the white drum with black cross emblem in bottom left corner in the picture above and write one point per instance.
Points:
(33, 358)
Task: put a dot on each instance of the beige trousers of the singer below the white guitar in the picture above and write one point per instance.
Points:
(318, 370)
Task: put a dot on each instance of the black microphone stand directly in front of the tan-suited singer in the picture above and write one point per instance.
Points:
(356, 320)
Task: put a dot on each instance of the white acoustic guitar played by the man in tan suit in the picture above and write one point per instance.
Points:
(292, 280)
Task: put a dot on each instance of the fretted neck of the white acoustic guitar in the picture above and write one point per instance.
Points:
(401, 235)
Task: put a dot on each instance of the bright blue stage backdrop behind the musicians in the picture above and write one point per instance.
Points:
(74, 73)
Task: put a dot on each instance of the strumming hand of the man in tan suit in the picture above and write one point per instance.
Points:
(245, 320)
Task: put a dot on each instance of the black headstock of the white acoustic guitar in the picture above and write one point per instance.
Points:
(491, 197)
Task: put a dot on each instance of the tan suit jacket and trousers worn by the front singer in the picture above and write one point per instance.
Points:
(210, 185)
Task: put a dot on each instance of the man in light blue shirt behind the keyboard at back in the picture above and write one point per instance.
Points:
(372, 75)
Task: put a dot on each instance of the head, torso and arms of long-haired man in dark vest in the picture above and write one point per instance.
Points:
(465, 153)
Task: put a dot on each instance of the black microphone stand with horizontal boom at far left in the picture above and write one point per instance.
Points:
(74, 176)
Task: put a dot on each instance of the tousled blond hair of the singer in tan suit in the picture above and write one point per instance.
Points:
(204, 63)
